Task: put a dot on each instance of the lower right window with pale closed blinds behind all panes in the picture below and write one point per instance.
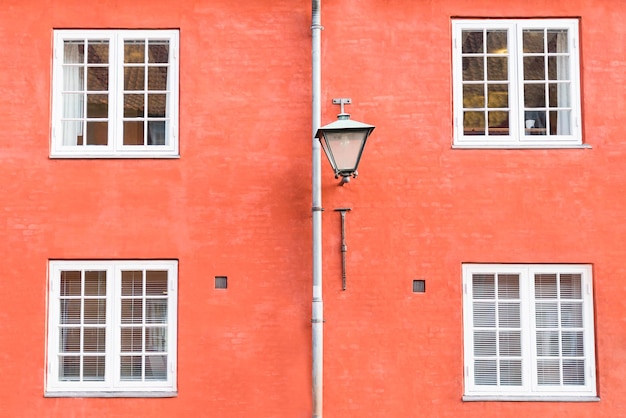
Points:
(528, 331)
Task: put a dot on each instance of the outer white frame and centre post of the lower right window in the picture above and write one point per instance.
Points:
(530, 389)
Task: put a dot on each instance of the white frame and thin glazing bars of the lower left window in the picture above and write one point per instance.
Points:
(113, 348)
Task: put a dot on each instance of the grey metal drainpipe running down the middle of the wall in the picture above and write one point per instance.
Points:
(318, 304)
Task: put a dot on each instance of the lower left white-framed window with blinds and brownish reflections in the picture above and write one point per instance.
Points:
(112, 328)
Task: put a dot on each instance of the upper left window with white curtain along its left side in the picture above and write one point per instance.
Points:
(115, 93)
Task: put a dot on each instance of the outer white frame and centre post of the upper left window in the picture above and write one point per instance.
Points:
(115, 147)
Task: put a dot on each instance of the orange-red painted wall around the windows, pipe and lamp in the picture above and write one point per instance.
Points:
(238, 203)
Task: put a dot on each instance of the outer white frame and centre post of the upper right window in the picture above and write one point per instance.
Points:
(517, 137)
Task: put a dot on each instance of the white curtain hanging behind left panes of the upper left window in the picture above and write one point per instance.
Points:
(73, 103)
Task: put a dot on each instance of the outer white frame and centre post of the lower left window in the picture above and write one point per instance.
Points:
(112, 385)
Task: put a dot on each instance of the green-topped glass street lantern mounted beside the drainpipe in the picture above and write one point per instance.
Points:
(343, 141)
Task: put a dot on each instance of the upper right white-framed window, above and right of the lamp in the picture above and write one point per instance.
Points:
(516, 83)
